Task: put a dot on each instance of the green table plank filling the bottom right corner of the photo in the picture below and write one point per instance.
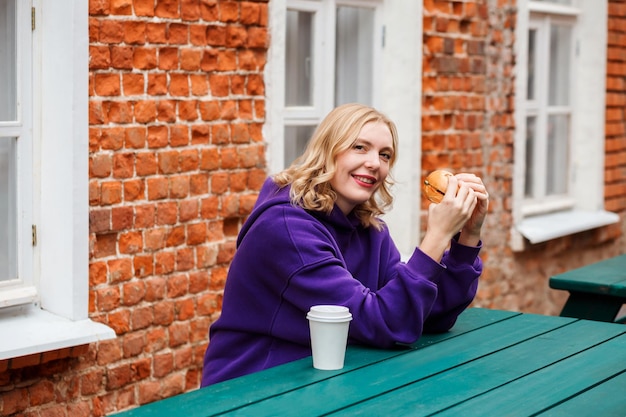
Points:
(605, 400)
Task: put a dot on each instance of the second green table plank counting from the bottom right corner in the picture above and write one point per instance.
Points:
(558, 382)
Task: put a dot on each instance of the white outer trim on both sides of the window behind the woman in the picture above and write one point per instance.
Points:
(399, 97)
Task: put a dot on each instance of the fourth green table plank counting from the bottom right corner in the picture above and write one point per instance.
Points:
(362, 384)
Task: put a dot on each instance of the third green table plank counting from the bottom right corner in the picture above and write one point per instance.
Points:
(486, 372)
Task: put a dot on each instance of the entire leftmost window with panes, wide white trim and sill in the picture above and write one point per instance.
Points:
(44, 178)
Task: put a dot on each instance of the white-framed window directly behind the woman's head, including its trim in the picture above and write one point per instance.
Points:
(325, 53)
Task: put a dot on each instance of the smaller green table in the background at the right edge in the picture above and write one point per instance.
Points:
(597, 291)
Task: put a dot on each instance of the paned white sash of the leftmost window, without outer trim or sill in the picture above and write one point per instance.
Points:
(16, 275)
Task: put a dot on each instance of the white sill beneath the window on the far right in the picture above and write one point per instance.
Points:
(545, 227)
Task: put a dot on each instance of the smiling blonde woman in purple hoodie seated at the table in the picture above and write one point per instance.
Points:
(315, 237)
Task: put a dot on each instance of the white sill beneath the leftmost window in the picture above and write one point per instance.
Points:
(28, 330)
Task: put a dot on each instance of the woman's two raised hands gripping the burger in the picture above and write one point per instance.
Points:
(463, 208)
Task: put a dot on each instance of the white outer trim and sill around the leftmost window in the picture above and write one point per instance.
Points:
(61, 210)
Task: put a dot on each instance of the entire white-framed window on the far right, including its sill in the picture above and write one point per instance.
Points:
(559, 145)
